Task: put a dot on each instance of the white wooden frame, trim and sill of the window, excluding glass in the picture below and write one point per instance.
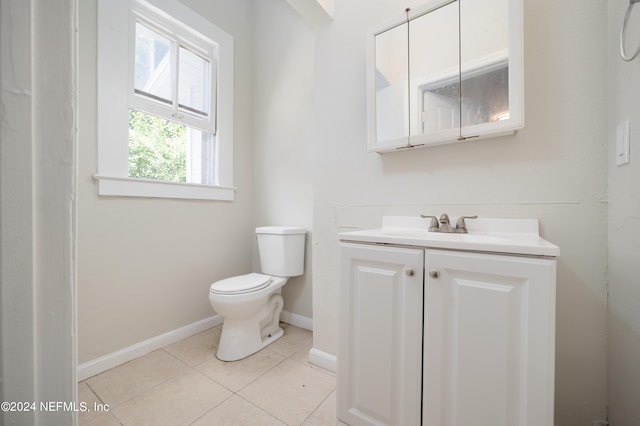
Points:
(115, 93)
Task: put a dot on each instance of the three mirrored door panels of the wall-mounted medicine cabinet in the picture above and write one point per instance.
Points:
(443, 72)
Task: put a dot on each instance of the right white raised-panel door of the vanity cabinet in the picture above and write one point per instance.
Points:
(489, 340)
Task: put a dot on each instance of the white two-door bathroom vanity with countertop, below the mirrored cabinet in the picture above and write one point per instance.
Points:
(433, 334)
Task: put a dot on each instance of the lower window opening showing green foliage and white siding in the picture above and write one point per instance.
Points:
(165, 150)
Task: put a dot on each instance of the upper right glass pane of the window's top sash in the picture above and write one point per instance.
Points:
(193, 82)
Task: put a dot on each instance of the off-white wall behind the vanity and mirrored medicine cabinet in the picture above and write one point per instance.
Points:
(553, 170)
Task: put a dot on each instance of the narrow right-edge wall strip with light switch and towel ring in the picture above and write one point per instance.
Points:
(623, 368)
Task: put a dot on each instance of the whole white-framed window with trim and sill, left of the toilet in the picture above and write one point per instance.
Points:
(165, 87)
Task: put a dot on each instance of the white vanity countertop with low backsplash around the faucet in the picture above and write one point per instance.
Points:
(513, 236)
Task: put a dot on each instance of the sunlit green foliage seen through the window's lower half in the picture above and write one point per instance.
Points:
(157, 148)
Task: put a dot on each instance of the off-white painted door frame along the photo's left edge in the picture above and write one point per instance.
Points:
(37, 207)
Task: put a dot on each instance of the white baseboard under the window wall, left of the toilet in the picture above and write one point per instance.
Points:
(106, 362)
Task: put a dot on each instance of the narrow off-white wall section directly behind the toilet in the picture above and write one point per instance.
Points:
(282, 132)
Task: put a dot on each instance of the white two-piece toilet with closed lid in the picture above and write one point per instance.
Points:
(251, 304)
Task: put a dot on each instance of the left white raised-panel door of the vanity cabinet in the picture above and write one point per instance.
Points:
(379, 359)
